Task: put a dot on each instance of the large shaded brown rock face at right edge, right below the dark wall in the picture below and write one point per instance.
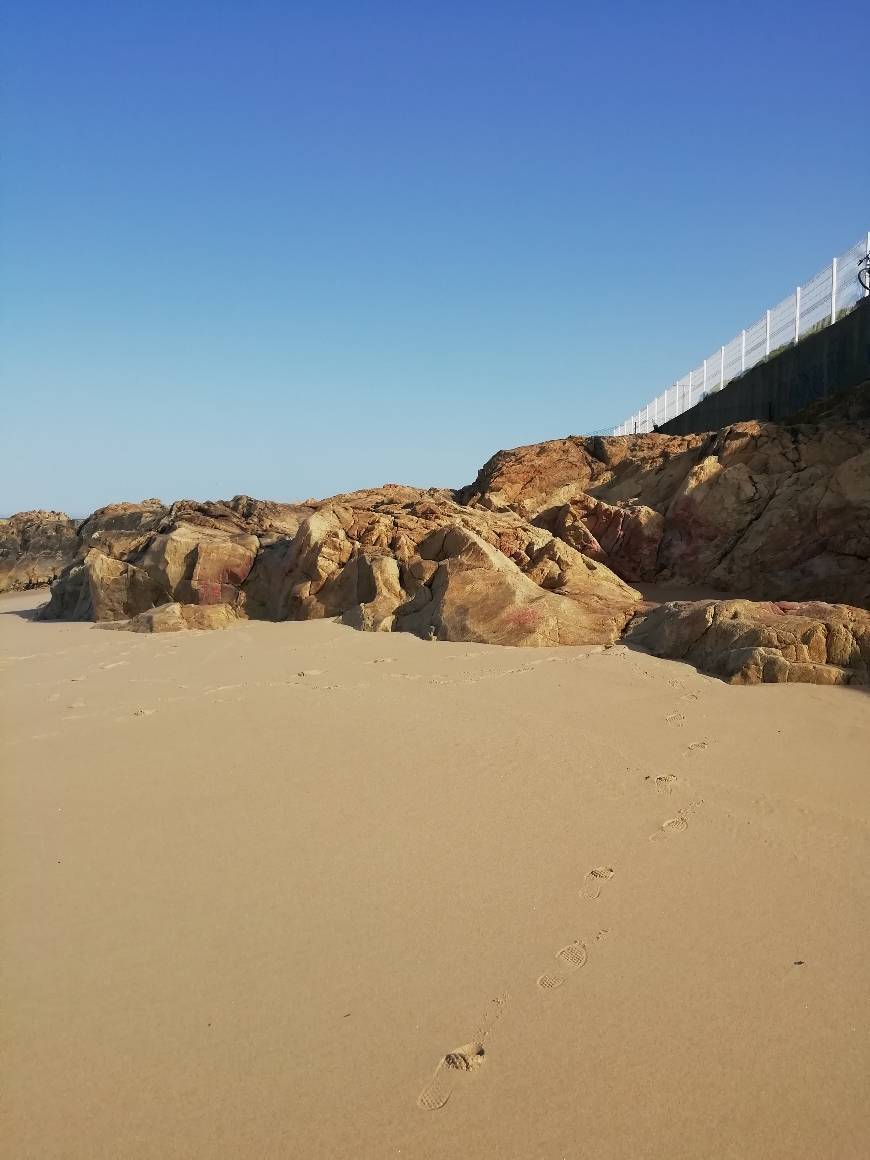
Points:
(773, 512)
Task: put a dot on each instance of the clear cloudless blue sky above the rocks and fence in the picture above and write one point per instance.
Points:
(293, 248)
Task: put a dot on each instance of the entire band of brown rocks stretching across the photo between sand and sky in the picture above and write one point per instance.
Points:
(542, 549)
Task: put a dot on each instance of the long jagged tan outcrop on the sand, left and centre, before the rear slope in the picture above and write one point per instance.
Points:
(388, 559)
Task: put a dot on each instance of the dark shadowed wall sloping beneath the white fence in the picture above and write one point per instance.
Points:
(824, 364)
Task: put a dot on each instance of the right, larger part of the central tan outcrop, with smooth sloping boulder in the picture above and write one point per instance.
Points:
(418, 565)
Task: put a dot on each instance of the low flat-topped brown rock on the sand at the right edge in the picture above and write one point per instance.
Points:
(749, 643)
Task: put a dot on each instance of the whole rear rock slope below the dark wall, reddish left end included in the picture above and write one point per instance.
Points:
(758, 510)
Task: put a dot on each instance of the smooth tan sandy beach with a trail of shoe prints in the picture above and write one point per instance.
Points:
(298, 891)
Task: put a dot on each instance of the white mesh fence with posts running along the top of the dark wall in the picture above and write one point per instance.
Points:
(818, 303)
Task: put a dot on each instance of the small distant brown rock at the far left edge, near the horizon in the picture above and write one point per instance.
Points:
(35, 548)
